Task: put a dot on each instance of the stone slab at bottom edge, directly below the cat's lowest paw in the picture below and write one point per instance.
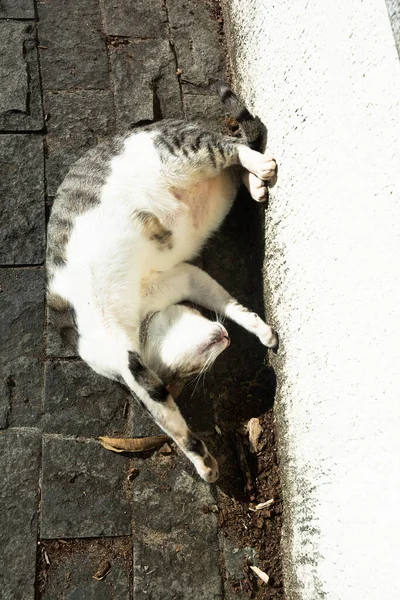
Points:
(176, 546)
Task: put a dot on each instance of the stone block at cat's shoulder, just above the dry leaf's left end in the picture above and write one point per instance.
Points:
(79, 402)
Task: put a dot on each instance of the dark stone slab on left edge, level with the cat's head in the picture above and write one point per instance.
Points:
(21, 346)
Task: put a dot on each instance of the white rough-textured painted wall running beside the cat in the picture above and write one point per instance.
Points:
(325, 77)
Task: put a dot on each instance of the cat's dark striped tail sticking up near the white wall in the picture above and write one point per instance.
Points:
(251, 127)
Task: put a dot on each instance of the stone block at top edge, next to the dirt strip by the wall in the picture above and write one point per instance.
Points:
(196, 38)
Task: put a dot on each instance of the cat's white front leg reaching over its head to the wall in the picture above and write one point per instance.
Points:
(187, 282)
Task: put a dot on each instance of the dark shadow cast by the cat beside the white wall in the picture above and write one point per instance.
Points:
(242, 385)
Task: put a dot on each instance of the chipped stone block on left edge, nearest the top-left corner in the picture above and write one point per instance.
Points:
(20, 99)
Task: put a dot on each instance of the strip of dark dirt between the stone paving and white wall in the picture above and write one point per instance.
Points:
(243, 388)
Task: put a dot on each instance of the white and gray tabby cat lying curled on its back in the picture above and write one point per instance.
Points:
(126, 218)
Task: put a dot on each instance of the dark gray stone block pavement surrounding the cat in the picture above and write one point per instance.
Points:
(72, 73)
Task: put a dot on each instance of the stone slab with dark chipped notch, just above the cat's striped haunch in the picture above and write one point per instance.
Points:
(145, 82)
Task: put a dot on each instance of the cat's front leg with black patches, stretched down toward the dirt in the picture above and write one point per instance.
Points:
(154, 396)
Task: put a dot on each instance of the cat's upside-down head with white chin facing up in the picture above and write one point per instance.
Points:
(180, 342)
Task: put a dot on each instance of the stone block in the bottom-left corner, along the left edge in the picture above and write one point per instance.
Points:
(19, 476)
